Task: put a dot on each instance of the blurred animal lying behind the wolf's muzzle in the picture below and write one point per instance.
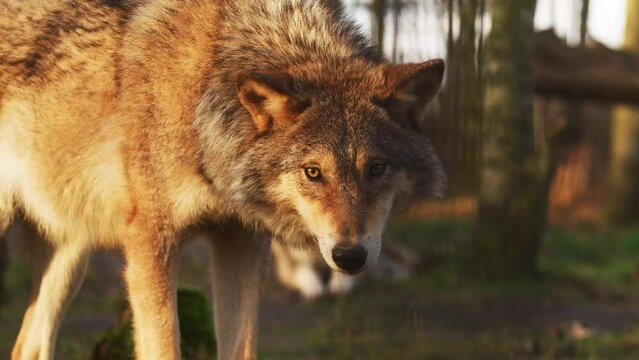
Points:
(304, 272)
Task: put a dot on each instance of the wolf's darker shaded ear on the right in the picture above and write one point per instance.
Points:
(411, 87)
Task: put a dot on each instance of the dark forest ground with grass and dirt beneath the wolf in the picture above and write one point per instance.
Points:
(584, 305)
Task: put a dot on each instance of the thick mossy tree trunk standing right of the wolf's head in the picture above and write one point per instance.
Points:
(513, 176)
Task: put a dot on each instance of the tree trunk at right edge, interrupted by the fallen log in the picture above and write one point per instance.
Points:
(624, 163)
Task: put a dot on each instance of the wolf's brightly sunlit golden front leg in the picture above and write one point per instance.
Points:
(151, 267)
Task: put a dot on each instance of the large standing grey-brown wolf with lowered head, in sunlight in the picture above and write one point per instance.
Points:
(131, 124)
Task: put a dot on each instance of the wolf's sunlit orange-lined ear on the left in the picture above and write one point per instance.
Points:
(269, 99)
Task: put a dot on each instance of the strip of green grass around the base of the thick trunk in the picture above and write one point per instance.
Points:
(607, 259)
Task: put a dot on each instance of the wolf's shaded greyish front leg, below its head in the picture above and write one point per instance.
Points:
(240, 262)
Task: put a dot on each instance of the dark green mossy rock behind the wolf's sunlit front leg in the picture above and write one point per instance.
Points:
(196, 330)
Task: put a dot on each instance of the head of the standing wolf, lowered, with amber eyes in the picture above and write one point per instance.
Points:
(335, 150)
